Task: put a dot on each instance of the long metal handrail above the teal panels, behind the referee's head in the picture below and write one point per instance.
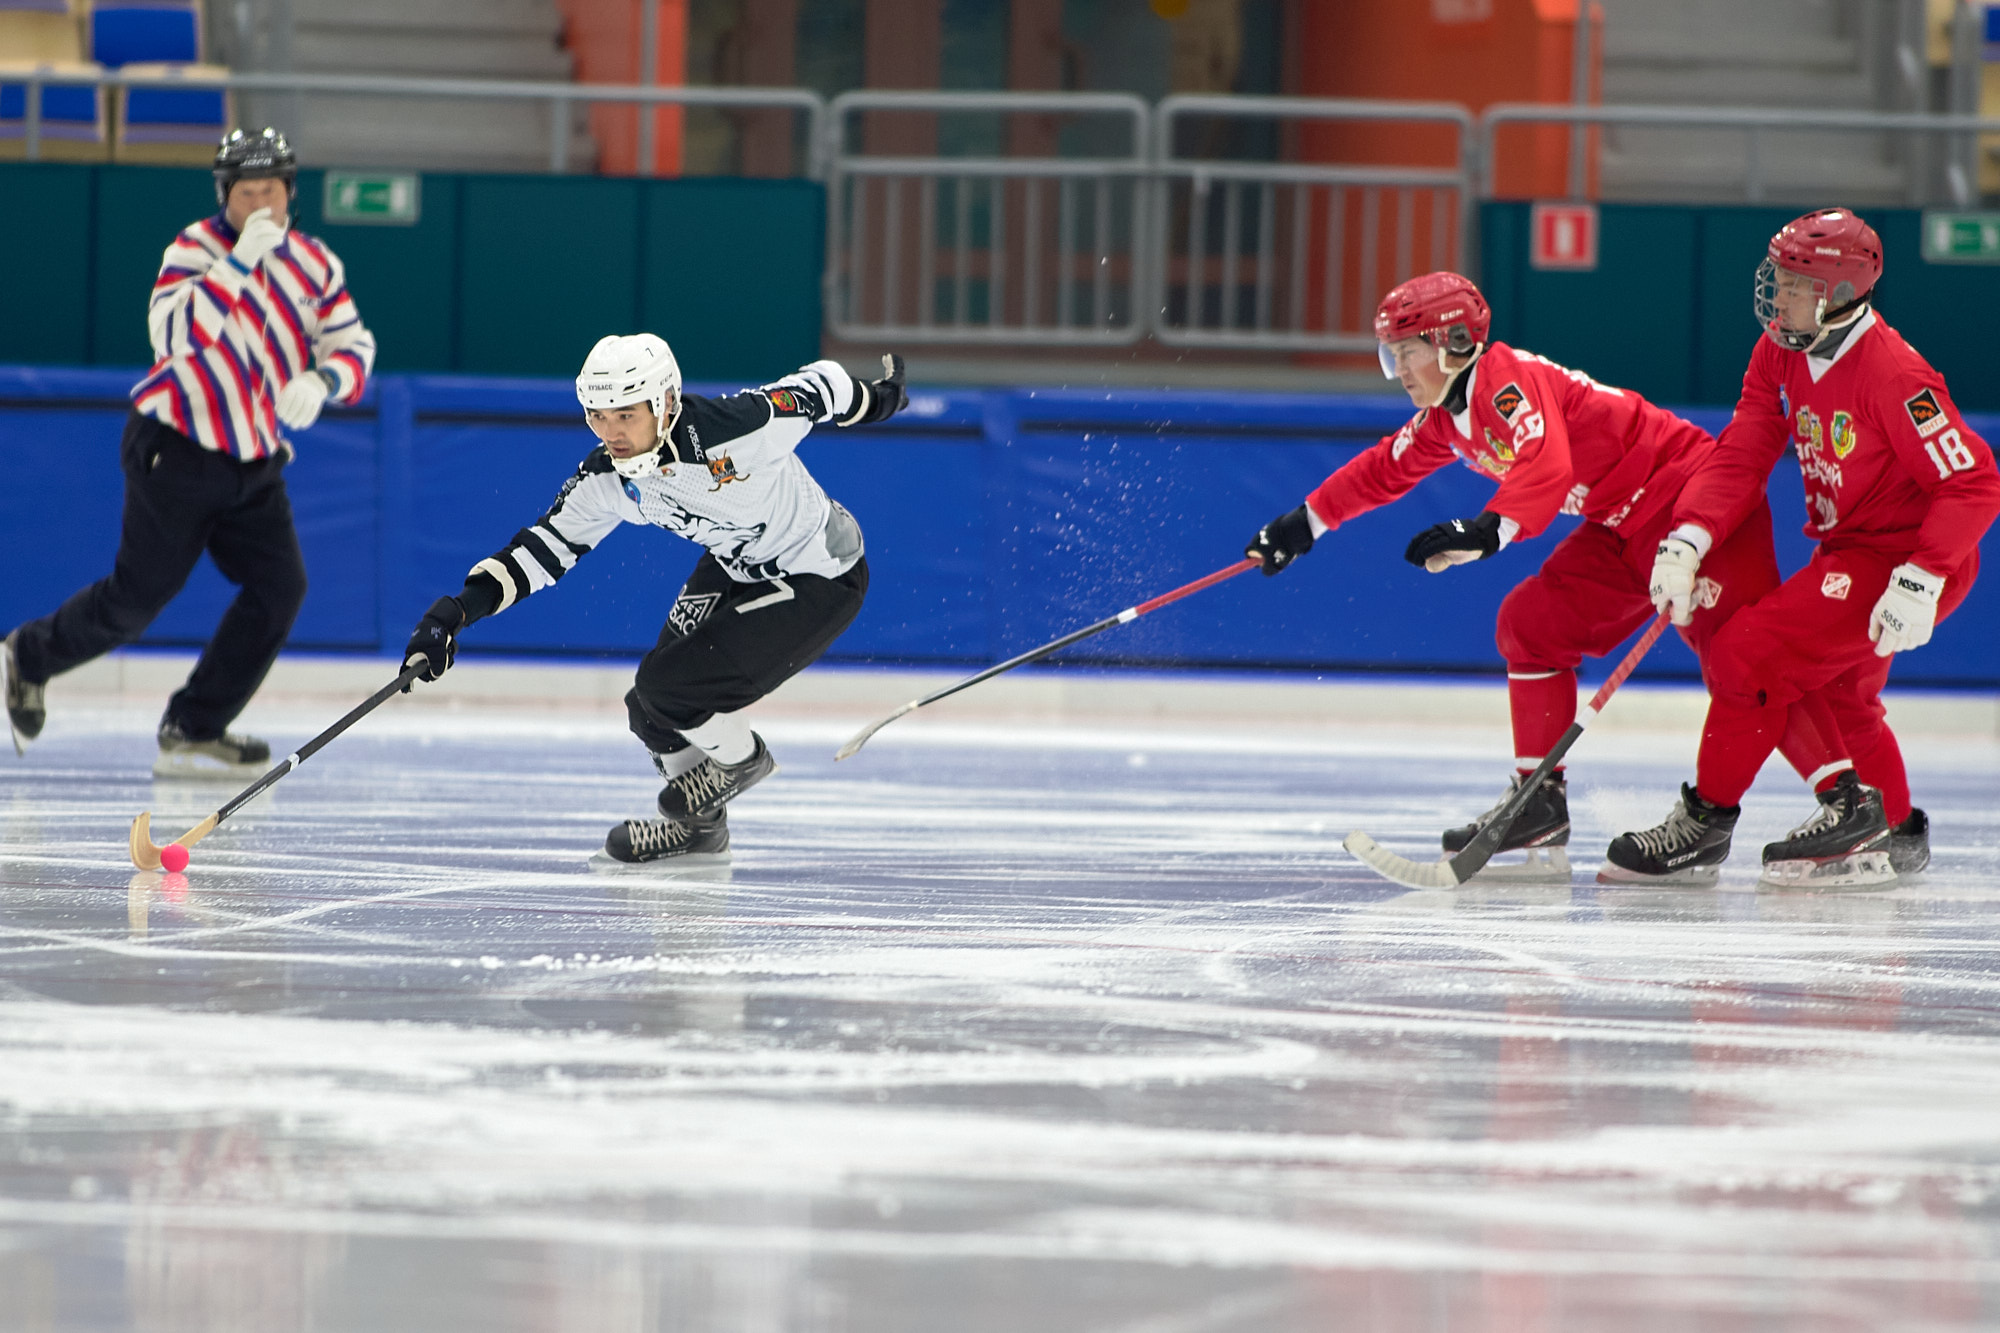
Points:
(561, 97)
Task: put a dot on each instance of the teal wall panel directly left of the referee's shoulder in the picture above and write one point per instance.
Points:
(141, 209)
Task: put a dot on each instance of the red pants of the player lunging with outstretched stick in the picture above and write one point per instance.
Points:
(1591, 595)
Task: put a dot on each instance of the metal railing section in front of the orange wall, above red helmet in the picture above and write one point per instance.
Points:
(1255, 255)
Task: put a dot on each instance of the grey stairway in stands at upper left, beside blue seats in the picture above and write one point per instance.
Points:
(427, 39)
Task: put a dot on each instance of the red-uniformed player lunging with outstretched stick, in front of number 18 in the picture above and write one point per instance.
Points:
(1559, 443)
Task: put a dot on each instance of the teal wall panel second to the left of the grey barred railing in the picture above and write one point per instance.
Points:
(547, 269)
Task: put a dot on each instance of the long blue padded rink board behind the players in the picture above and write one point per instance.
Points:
(995, 521)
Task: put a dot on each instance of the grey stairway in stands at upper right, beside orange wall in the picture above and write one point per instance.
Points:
(1801, 55)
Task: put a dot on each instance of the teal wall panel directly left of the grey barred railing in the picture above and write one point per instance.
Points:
(731, 275)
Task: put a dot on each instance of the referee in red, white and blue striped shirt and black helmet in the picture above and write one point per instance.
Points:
(251, 327)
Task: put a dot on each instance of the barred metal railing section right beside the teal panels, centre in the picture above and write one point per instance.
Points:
(987, 249)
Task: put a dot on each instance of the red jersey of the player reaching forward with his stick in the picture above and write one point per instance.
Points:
(1555, 439)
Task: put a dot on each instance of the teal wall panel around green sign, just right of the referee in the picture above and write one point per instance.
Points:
(405, 279)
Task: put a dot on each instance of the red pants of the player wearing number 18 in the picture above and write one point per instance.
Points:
(1809, 639)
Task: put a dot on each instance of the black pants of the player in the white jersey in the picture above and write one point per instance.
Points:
(729, 643)
